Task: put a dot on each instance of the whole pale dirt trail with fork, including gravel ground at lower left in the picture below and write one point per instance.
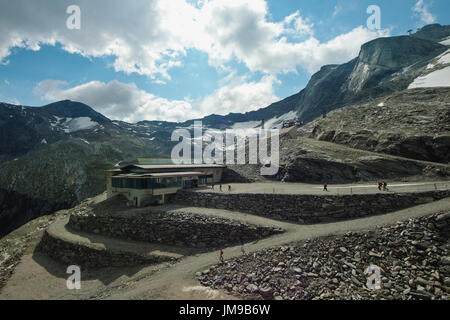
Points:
(39, 277)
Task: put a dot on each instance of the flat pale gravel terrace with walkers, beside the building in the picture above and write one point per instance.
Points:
(314, 189)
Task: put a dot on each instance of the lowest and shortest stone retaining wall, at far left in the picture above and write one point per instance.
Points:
(72, 253)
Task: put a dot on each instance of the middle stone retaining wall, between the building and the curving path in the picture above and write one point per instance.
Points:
(180, 229)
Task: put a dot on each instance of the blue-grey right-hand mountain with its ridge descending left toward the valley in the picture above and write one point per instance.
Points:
(384, 66)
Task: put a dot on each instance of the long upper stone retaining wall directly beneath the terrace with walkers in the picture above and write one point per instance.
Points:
(308, 209)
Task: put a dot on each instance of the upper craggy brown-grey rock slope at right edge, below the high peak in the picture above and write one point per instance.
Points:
(412, 123)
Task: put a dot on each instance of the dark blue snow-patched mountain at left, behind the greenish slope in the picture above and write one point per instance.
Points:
(27, 129)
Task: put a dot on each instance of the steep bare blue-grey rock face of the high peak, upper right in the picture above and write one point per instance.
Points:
(384, 66)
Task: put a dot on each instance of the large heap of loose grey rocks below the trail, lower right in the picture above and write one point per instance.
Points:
(413, 259)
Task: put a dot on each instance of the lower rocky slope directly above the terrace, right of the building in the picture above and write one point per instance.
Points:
(312, 161)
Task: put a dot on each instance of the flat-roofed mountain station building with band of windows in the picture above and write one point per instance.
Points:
(146, 184)
